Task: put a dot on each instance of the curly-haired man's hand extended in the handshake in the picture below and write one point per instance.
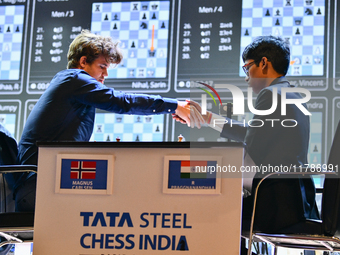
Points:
(185, 113)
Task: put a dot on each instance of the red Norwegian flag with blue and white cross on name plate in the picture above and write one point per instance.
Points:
(83, 170)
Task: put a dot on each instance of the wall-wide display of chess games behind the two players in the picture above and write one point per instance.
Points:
(169, 46)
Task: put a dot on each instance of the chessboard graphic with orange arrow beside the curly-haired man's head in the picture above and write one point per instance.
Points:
(143, 31)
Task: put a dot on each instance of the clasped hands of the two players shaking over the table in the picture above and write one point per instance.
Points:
(189, 112)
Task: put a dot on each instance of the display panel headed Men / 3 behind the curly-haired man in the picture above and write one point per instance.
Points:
(142, 28)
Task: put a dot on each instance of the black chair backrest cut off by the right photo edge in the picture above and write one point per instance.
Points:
(331, 192)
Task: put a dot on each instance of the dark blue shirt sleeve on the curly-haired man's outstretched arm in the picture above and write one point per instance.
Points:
(91, 92)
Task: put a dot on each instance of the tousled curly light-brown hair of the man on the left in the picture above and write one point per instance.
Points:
(92, 46)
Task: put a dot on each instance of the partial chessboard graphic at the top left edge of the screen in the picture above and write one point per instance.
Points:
(11, 31)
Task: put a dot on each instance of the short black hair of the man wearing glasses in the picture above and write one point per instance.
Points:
(275, 49)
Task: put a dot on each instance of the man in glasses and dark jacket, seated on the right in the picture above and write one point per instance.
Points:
(282, 202)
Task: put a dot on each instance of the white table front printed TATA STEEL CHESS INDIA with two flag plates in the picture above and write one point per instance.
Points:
(137, 198)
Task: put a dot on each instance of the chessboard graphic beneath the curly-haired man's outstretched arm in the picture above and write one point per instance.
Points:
(128, 128)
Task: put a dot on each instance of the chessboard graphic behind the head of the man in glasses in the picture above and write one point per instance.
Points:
(301, 23)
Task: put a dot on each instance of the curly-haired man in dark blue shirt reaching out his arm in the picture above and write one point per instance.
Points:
(66, 110)
